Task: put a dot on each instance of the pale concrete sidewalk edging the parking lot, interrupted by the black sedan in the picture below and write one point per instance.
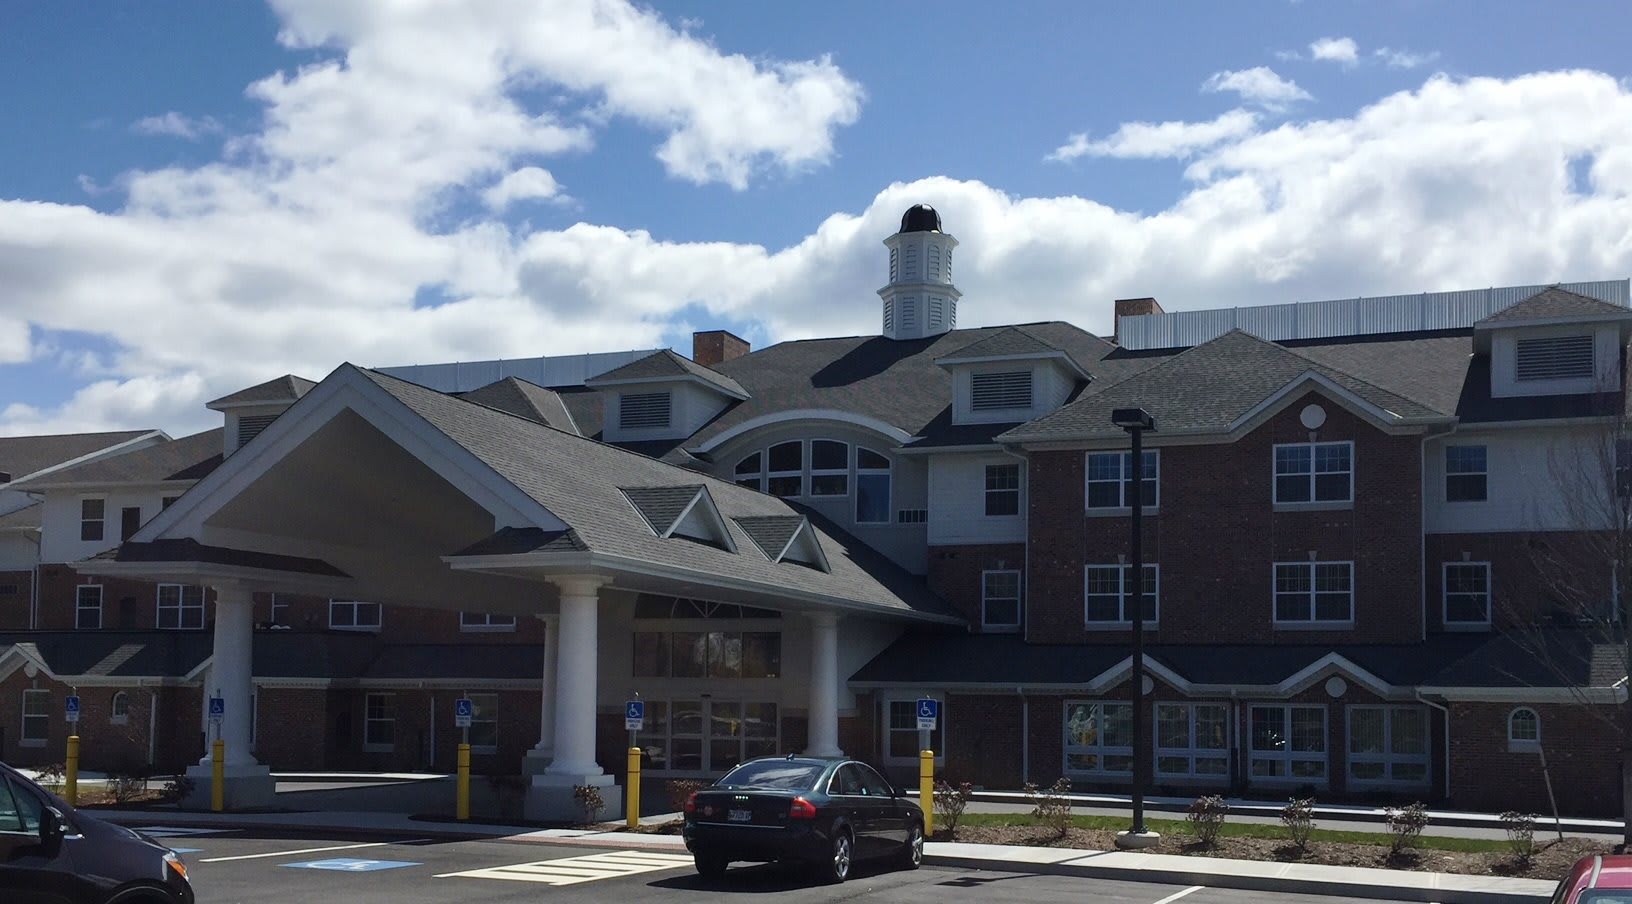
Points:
(1298, 879)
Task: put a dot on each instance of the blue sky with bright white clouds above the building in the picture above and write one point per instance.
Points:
(198, 197)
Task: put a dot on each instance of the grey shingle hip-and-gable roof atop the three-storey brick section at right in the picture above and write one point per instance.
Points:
(1207, 389)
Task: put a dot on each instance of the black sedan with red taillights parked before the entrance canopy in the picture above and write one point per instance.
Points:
(825, 813)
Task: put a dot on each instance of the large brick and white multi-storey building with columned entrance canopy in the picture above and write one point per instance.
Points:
(1355, 518)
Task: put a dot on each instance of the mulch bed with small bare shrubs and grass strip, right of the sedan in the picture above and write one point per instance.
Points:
(1551, 862)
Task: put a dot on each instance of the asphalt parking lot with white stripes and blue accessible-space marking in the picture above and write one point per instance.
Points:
(244, 867)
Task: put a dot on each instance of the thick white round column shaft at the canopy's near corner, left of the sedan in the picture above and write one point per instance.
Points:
(575, 686)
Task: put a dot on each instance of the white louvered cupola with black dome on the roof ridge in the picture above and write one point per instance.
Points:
(920, 299)
